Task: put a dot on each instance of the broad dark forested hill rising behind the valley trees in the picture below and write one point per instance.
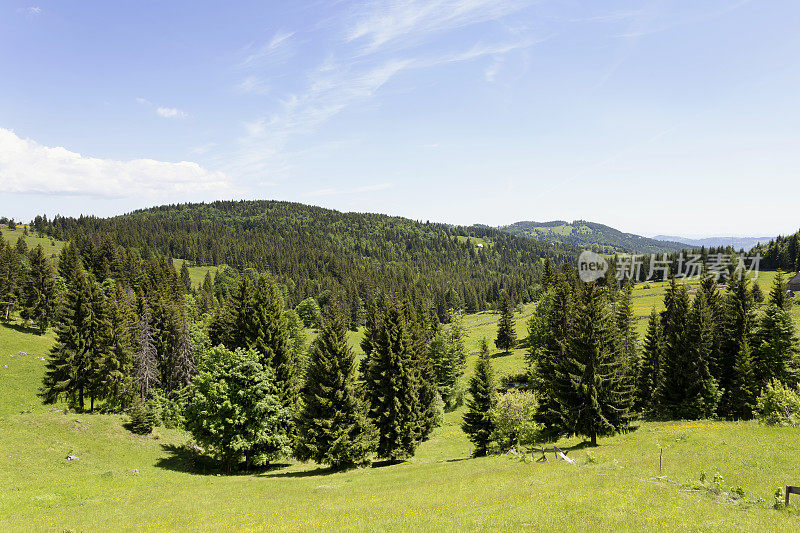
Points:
(311, 249)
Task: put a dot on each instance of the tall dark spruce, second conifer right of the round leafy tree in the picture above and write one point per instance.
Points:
(393, 387)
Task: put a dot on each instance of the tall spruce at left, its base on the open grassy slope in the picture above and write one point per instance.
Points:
(68, 368)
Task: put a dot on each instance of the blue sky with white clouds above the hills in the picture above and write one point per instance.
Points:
(654, 117)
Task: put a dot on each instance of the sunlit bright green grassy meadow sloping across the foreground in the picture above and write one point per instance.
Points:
(123, 481)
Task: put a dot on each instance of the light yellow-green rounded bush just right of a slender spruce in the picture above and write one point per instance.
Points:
(514, 421)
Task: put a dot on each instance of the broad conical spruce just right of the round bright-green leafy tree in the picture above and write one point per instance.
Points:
(333, 427)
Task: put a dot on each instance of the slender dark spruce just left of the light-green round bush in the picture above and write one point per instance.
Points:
(478, 422)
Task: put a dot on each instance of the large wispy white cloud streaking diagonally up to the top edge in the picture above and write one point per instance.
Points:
(379, 41)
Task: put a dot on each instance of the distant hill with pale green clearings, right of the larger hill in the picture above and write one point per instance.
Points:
(591, 235)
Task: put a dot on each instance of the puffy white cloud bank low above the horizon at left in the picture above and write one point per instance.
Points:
(28, 167)
